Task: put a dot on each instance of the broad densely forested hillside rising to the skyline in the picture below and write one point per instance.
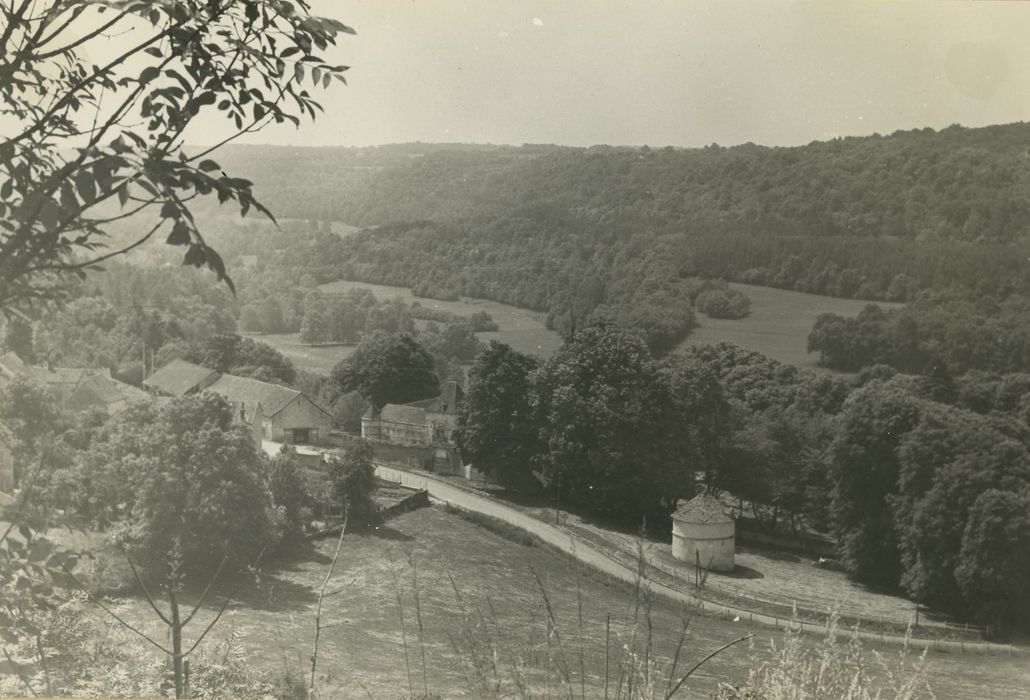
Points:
(614, 233)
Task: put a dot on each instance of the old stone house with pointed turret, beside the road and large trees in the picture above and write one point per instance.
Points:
(425, 429)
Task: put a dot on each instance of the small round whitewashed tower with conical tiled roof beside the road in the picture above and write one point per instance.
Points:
(704, 533)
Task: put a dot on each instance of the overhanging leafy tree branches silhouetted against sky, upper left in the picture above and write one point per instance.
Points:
(94, 142)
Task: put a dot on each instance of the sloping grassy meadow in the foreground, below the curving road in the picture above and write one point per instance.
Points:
(487, 604)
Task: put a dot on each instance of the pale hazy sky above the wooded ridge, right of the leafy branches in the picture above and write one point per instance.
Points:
(678, 73)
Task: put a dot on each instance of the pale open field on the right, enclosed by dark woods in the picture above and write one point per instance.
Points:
(779, 324)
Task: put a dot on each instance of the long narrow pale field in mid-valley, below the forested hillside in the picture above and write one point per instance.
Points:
(523, 330)
